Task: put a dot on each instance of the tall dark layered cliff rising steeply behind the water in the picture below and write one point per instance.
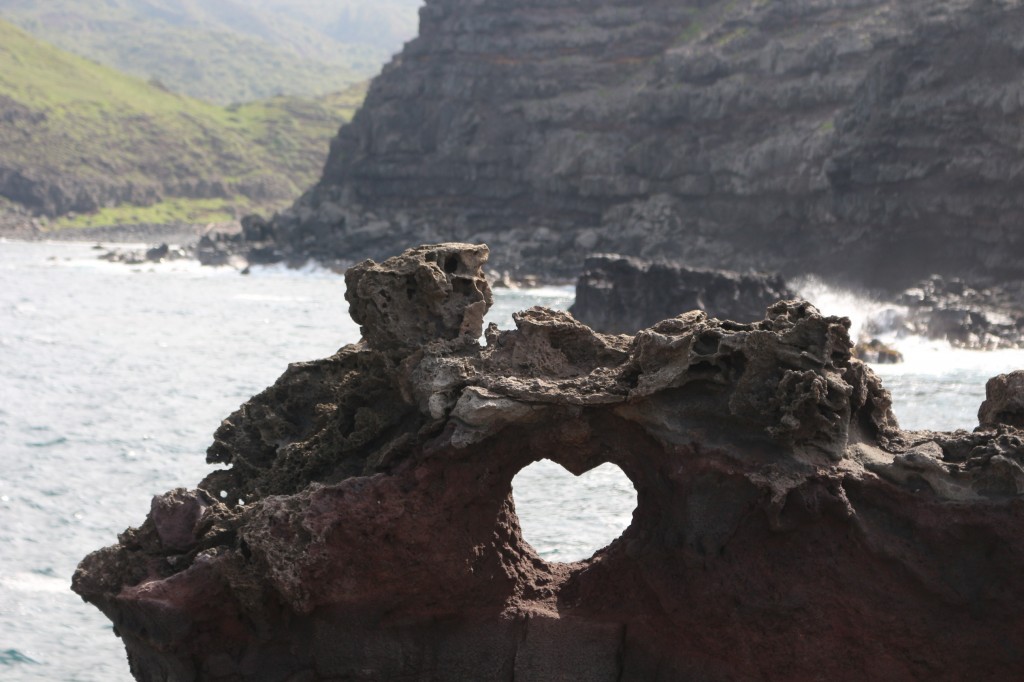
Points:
(876, 142)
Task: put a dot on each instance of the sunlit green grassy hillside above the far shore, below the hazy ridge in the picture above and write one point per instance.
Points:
(77, 138)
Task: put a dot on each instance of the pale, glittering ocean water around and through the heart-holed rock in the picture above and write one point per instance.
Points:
(113, 379)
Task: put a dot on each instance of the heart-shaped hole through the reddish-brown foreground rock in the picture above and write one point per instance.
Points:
(567, 518)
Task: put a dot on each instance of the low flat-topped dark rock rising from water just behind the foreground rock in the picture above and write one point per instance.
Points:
(619, 294)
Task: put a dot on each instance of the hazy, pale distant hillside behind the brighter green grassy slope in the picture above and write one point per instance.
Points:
(226, 51)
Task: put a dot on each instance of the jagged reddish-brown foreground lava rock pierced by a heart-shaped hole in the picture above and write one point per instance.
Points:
(786, 528)
